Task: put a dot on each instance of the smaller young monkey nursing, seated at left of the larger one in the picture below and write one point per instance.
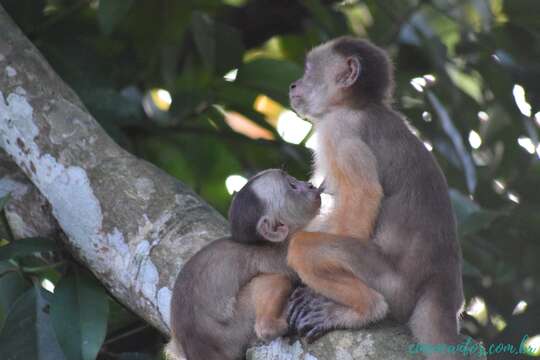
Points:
(234, 291)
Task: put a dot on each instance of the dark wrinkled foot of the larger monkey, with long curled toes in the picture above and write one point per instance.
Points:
(311, 315)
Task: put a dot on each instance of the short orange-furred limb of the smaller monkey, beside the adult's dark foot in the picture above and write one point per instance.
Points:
(269, 293)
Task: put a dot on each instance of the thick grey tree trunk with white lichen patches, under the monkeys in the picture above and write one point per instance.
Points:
(130, 223)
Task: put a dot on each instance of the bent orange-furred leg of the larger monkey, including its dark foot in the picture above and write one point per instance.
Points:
(319, 261)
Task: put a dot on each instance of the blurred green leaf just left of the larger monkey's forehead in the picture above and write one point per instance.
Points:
(270, 76)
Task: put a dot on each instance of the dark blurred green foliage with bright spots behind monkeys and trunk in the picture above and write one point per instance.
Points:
(199, 88)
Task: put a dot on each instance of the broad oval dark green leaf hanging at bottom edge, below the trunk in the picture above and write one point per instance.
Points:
(82, 300)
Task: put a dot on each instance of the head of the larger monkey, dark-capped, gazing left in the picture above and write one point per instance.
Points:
(343, 72)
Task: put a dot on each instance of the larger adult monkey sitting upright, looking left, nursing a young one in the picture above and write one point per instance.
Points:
(392, 231)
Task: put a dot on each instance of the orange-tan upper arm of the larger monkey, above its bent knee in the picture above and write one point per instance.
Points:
(359, 192)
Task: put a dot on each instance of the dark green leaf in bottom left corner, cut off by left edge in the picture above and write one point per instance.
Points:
(27, 333)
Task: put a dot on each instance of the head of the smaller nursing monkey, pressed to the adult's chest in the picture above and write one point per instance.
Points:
(272, 206)
